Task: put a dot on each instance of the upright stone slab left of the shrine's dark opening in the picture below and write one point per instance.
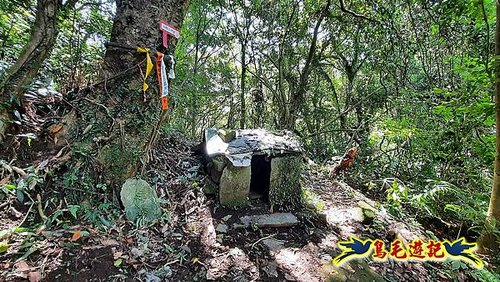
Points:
(234, 186)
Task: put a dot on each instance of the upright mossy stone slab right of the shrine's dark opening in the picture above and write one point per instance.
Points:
(284, 187)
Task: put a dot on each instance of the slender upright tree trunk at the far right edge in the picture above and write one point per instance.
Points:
(488, 242)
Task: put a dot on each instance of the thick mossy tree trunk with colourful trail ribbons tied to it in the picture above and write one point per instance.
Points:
(115, 126)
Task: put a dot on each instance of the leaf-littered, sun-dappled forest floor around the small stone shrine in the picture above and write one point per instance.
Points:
(201, 240)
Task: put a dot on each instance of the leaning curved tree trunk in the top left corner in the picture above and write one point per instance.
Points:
(24, 70)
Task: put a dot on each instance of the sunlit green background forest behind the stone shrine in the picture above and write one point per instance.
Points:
(411, 82)
